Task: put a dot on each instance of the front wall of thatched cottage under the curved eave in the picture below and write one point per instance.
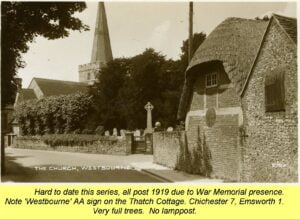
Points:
(221, 136)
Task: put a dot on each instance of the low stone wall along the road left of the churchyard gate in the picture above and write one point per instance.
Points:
(107, 145)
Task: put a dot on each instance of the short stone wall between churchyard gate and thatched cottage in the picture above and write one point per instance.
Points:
(166, 147)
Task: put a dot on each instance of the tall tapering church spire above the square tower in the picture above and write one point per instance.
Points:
(101, 46)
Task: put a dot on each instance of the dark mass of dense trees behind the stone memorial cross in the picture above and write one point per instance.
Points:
(145, 77)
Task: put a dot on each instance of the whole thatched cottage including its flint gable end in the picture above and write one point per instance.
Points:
(240, 91)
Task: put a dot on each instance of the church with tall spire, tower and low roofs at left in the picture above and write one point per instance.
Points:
(100, 56)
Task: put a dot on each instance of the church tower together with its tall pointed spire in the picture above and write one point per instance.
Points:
(101, 51)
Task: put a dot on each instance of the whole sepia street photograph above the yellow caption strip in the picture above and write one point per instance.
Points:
(149, 92)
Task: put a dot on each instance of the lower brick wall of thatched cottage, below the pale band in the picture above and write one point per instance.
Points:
(222, 143)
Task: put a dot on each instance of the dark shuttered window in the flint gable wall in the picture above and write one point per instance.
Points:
(274, 90)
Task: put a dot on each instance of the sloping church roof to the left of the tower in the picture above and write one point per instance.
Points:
(50, 87)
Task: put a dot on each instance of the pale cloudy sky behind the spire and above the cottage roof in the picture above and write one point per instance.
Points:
(133, 27)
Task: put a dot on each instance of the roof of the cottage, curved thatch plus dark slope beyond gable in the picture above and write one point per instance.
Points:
(235, 42)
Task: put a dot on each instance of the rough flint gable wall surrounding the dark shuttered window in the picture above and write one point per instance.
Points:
(270, 148)
